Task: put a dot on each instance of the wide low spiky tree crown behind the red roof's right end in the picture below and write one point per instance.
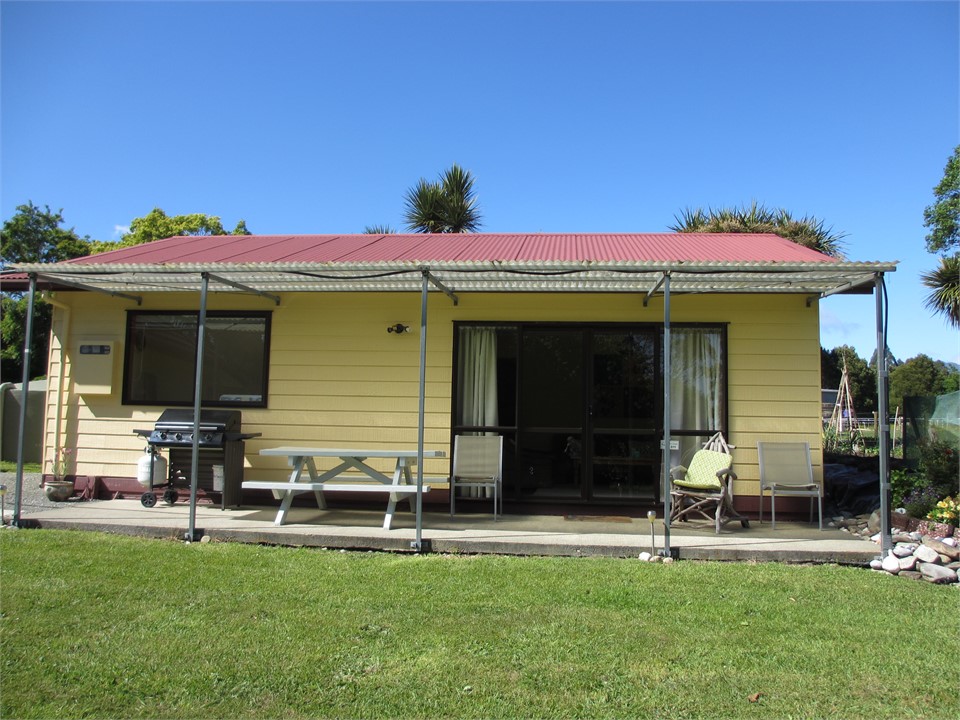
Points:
(807, 231)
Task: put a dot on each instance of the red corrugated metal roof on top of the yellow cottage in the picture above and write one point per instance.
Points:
(473, 247)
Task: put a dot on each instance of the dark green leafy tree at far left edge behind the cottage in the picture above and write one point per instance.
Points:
(32, 235)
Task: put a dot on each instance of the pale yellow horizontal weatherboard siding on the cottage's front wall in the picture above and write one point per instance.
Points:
(338, 378)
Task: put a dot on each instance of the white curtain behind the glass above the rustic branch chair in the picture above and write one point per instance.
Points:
(695, 385)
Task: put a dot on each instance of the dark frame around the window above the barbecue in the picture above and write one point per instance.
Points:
(126, 398)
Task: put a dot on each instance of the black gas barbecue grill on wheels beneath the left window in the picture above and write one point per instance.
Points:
(220, 443)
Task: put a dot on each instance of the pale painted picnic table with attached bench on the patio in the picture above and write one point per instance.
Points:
(304, 476)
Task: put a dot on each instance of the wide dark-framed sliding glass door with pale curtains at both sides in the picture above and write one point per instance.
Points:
(580, 406)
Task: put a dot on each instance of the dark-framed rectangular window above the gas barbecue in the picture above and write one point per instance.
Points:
(161, 353)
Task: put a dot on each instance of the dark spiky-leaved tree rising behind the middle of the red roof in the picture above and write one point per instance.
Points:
(446, 206)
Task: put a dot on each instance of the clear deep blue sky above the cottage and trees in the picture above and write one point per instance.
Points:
(307, 117)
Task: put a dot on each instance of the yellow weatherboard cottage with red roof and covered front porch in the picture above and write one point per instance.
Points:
(600, 359)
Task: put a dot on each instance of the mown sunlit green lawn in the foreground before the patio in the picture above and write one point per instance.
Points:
(103, 626)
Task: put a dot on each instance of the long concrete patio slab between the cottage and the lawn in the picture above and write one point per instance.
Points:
(464, 533)
